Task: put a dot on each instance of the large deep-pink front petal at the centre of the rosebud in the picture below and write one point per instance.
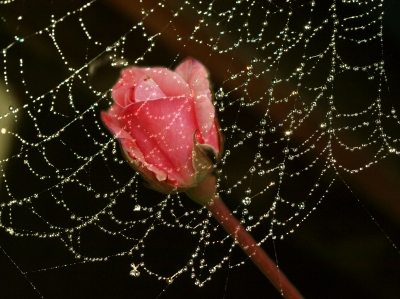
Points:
(163, 130)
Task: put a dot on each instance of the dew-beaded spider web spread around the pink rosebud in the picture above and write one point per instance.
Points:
(290, 70)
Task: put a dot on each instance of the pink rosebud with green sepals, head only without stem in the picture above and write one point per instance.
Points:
(165, 121)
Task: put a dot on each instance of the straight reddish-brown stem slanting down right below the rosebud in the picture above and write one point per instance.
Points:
(250, 247)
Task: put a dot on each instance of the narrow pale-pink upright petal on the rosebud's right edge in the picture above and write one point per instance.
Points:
(196, 75)
